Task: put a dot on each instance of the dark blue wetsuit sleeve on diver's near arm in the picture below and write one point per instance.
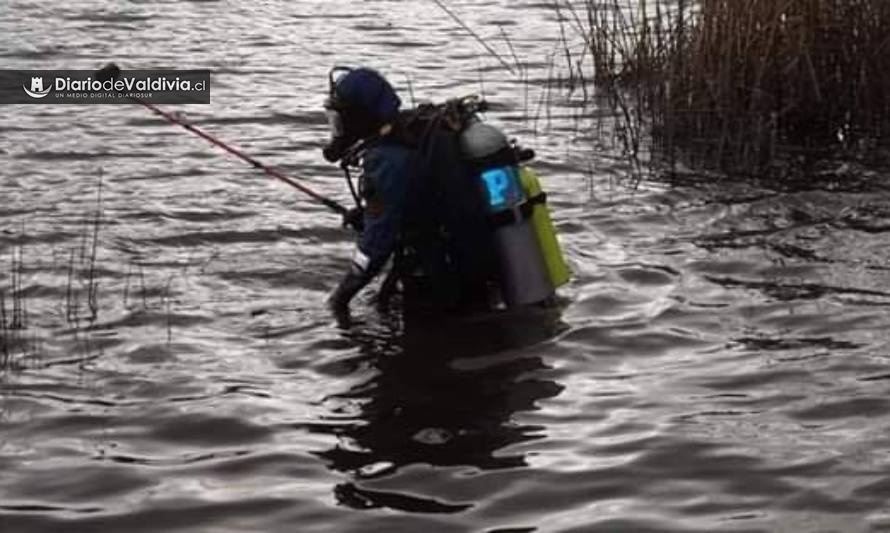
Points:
(385, 175)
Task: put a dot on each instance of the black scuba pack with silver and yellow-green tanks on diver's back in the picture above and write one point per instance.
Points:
(487, 223)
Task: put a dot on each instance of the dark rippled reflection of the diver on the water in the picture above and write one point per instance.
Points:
(443, 395)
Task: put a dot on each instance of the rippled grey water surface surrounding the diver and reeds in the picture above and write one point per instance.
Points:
(722, 362)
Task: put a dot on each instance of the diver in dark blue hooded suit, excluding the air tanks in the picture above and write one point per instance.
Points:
(415, 201)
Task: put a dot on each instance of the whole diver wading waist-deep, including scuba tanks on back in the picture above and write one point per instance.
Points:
(443, 195)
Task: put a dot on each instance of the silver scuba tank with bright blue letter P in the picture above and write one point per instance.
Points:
(524, 278)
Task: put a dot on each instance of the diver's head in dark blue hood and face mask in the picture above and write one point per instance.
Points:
(359, 104)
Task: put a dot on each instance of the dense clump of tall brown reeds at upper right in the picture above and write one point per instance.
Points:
(744, 85)
